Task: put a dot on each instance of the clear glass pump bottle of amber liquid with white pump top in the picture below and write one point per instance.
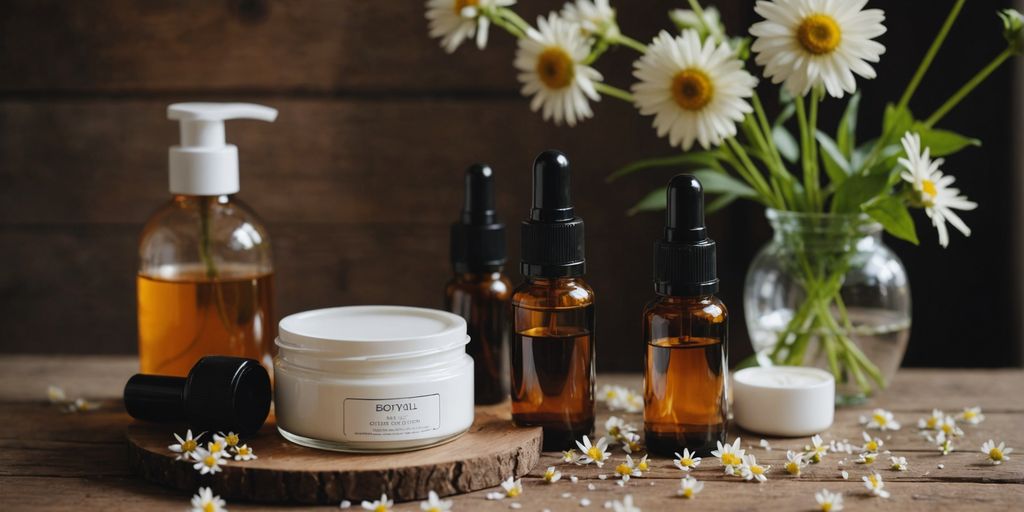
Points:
(205, 282)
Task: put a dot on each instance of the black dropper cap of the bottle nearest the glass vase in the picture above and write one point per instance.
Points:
(685, 260)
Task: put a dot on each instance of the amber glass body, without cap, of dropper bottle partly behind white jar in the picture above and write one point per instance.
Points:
(484, 301)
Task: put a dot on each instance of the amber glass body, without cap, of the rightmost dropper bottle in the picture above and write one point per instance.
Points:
(686, 381)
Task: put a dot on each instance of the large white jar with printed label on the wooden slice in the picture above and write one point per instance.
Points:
(373, 378)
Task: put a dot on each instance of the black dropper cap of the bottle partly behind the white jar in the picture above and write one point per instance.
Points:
(479, 239)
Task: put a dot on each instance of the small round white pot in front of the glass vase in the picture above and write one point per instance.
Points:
(790, 402)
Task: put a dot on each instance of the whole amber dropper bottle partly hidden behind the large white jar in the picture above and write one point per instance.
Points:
(480, 291)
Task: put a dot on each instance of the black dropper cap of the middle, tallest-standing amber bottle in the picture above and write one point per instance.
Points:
(553, 237)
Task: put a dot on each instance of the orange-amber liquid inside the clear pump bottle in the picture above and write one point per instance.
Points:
(187, 316)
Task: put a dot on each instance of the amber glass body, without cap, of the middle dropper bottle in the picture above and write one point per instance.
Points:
(553, 360)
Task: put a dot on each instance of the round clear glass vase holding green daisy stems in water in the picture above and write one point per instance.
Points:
(828, 292)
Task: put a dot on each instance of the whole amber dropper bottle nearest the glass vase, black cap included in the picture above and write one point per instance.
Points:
(687, 331)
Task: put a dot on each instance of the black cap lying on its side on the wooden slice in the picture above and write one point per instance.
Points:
(221, 394)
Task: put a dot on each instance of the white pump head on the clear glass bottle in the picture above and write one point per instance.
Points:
(204, 164)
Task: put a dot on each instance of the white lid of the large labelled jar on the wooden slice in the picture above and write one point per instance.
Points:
(372, 332)
